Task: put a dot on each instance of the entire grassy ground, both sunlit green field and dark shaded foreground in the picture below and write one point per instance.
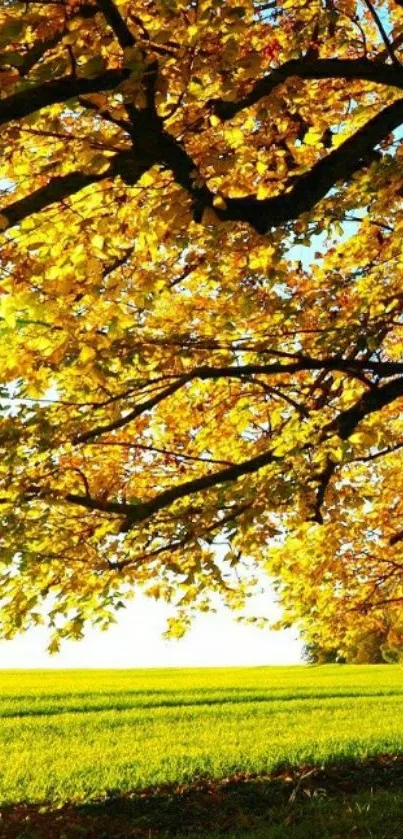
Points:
(195, 740)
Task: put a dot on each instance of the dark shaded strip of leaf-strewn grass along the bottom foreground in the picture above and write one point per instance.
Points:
(354, 799)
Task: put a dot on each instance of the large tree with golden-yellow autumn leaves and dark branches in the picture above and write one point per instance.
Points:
(201, 331)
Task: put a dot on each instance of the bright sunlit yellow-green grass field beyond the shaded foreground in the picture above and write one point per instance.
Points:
(82, 736)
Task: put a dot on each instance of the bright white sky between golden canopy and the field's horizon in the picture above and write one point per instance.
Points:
(136, 641)
